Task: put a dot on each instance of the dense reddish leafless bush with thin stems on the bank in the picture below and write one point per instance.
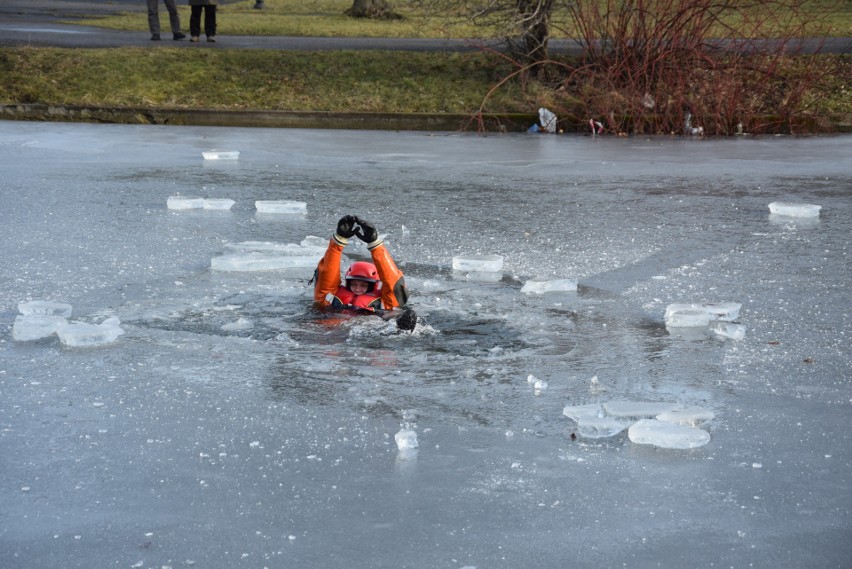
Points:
(654, 66)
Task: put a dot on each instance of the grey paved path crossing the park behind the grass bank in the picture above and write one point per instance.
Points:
(38, 23)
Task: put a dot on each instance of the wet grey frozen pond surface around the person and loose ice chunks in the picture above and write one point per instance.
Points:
(232, 426)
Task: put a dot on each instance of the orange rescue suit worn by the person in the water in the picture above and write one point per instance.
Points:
(330, 292)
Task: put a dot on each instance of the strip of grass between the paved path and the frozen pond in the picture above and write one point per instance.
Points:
(351, 81)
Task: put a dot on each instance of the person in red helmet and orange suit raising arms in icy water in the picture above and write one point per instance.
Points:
(377, 287)
